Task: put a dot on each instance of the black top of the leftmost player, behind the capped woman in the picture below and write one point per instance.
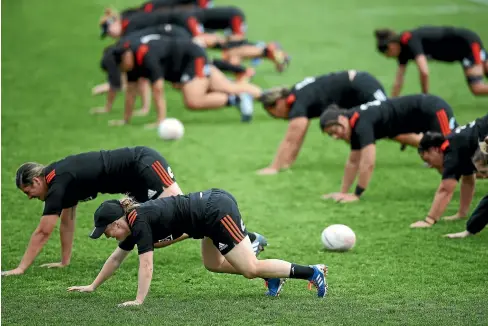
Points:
(81, 177)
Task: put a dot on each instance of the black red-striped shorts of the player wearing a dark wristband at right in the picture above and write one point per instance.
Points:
(440, 115)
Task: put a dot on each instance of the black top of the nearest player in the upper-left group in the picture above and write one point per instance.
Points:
(164, 58)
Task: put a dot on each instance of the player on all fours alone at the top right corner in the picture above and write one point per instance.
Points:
(447, 44)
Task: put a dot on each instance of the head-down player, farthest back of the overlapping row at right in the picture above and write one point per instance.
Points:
(307, 100)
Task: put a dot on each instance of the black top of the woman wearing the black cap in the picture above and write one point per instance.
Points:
(166, 219)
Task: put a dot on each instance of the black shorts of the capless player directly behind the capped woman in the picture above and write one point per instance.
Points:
(154, 172)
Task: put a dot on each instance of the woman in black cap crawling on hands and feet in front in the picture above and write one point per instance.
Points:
(210, 215)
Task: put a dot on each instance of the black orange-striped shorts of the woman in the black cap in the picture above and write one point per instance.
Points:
(224, 224)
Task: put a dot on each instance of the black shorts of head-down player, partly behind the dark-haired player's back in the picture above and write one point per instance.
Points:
(367, 88)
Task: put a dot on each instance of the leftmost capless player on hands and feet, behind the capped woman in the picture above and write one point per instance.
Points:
(139, 171)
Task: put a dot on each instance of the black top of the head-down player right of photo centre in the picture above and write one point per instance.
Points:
(310, 97)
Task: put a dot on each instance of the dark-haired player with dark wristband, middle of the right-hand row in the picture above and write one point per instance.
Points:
(403, 119)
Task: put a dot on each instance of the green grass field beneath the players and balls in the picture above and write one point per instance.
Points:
(394, 275)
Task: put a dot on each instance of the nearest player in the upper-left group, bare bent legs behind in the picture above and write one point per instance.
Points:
(204, 87)
